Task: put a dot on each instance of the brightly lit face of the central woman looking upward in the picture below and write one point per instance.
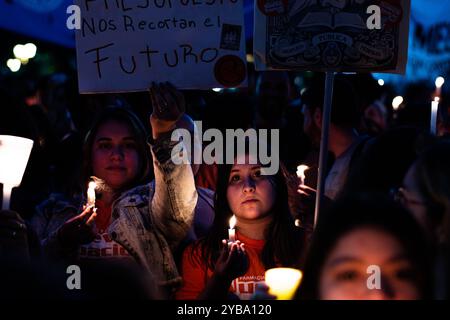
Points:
(250, 195)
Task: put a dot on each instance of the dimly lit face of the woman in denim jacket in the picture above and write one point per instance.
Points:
(114, 155)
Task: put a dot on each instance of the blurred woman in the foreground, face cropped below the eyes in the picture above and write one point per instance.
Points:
(367, 247)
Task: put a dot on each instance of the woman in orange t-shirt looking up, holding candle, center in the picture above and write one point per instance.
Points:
(266, 236)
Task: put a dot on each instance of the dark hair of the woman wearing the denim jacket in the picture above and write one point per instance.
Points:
(127, 117)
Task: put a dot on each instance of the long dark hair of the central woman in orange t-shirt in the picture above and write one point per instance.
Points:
(284, 241)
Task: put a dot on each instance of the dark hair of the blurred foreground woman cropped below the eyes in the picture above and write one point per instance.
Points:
(366, 210)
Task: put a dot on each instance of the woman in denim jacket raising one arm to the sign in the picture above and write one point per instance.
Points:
(139, 227)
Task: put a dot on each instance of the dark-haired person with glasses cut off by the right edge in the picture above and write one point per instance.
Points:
(426, 194)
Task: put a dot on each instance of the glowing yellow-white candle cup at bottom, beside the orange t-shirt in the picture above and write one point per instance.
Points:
(283, 282)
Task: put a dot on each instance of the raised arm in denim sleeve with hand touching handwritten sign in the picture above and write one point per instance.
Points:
(175, 196)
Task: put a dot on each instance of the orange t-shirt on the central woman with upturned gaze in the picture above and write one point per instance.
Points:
(244, 287)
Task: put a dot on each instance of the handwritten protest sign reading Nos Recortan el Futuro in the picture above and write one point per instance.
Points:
(124, 45)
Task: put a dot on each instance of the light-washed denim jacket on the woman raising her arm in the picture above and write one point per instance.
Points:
(148, 221)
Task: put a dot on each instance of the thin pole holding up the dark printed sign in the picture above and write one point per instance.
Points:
(323, 157)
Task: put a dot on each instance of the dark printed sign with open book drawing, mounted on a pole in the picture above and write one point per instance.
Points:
(337, 35)
